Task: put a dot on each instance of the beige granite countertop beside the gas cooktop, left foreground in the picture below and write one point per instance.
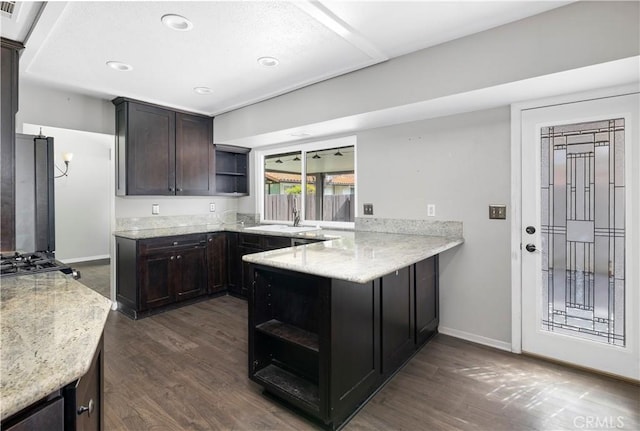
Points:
(50, 327)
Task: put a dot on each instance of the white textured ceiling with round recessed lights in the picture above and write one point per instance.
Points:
(314, 41)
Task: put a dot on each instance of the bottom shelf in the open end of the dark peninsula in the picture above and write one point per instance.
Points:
(291, 385)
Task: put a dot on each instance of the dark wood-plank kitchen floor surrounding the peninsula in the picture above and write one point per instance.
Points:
(186, 370)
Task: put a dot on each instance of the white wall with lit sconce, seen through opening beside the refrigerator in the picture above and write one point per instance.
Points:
(82, 205)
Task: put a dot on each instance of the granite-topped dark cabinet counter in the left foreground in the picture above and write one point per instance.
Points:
(51, 328)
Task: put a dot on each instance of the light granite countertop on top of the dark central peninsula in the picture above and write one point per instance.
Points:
(359, 257)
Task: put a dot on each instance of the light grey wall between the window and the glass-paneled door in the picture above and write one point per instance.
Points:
(460, 164)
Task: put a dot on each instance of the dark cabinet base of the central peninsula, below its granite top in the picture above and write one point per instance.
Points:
(324, 345)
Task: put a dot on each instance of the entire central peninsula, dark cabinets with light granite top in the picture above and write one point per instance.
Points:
(331, 322)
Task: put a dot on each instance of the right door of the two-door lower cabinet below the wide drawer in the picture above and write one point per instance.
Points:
(191, 273)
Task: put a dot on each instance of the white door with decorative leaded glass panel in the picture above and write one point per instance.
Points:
(580, 233)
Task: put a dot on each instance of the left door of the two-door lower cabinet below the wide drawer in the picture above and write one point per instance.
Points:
(156, 280)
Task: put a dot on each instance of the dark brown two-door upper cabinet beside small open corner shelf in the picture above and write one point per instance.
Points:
(163, 152)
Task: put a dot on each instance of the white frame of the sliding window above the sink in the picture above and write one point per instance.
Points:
(304, 148)
